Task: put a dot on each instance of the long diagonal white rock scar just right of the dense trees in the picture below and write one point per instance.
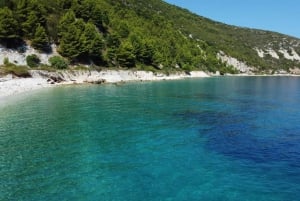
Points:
(239, 65)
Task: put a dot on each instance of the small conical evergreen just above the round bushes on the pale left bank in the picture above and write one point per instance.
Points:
(40, 40)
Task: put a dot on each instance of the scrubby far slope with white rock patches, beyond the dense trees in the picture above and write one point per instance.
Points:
(264, 50)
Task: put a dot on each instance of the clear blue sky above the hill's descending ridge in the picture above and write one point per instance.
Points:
(281, 16)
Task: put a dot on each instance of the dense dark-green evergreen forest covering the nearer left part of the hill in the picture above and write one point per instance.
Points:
(106, 33)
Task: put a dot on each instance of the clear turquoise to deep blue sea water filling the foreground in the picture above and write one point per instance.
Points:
(206, 139)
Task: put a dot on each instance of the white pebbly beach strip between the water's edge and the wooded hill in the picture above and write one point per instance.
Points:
(10, 85)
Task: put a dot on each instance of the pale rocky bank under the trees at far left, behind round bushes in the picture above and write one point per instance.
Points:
(19, 58)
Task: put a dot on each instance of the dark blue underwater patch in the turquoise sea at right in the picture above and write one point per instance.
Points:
(238, 136)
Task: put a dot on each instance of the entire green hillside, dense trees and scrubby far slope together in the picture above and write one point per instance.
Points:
(139, 34)
